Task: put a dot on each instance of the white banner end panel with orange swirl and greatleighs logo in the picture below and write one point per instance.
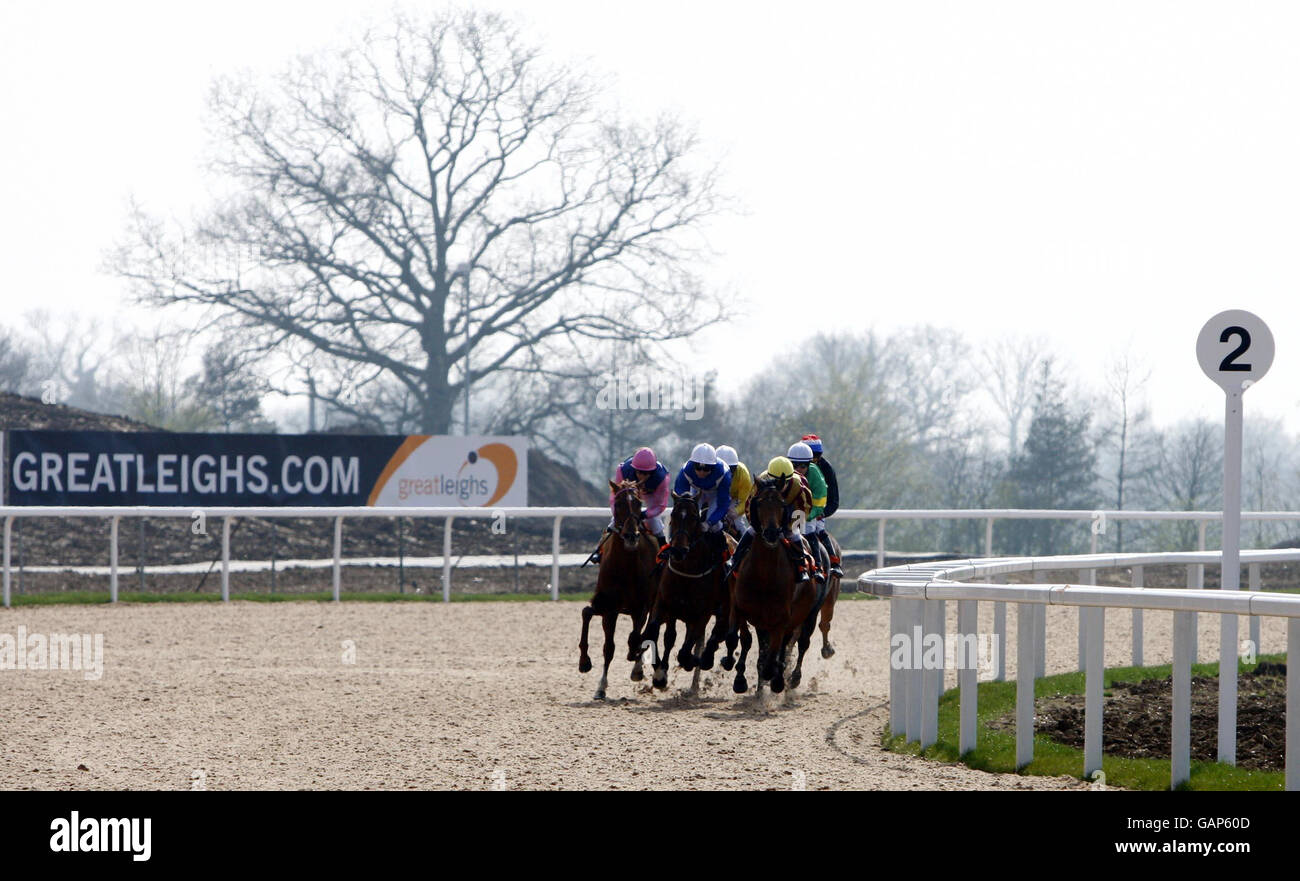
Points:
(437, 471)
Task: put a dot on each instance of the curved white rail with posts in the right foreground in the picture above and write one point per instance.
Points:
(917, 596)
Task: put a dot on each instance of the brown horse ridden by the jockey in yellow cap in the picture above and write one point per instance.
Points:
(768, 596)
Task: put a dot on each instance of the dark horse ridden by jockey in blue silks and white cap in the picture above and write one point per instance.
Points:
(692, 589)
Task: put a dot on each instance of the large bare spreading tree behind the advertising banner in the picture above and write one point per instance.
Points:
(435, 207)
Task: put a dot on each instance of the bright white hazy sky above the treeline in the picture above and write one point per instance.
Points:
(1106, 176)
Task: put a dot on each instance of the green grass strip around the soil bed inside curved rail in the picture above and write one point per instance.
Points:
(996, 749)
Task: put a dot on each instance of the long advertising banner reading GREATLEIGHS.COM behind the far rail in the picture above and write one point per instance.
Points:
(166, 470)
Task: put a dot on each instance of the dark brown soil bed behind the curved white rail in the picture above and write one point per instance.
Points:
(1137, 719)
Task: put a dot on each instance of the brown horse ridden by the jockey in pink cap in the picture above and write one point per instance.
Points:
(623, 585)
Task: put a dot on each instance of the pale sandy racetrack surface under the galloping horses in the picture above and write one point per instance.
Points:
(470, 696)
